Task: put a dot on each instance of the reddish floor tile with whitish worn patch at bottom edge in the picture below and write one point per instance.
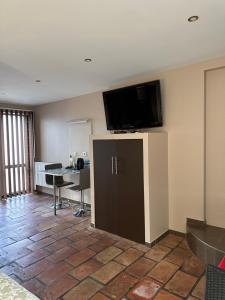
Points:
(144, 290)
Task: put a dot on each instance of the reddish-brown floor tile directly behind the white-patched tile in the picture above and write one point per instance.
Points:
(141, 267)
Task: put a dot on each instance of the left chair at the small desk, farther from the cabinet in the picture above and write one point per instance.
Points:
(59, 181)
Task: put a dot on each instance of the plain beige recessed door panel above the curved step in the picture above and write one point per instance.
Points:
(215, 147)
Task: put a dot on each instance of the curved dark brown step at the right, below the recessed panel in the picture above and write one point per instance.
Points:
(206, 241)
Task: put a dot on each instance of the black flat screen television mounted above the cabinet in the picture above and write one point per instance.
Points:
(134, 107)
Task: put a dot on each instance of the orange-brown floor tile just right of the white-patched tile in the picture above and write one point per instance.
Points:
(181, 284)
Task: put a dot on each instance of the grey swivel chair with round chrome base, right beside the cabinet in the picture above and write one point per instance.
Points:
(84, 184)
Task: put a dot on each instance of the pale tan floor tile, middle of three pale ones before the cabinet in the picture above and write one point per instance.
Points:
(107, 272)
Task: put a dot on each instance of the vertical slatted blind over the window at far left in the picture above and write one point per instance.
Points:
(16, 152)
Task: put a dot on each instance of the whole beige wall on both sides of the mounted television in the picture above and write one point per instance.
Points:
(183, 97)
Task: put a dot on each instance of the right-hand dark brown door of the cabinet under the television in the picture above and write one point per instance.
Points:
(130, 189)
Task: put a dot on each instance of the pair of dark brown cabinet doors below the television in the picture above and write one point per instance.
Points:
(119, 187)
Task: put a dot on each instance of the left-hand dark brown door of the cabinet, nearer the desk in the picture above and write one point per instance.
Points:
(106, 216)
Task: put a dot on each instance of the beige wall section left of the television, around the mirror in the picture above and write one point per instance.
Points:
(52, 125)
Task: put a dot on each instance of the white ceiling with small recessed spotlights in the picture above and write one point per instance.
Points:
(48, 40)
